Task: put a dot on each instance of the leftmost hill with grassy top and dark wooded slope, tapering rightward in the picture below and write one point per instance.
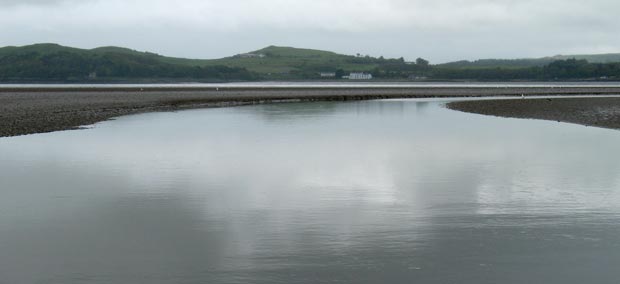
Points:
(49, 62)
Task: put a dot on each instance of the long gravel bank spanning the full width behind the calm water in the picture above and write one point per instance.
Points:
(37, 110)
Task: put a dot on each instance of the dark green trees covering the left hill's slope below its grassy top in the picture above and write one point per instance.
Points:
(74, 66)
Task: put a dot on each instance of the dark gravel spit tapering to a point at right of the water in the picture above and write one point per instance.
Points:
(595, 111)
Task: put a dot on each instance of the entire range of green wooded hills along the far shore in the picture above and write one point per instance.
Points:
(49, 62)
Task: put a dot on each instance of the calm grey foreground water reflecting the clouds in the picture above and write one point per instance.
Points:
(401, 191)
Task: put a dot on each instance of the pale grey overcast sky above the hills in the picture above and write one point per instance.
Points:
(439, 30)
